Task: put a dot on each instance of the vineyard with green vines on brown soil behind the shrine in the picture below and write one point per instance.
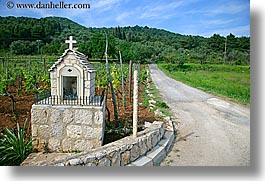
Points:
(23, 77)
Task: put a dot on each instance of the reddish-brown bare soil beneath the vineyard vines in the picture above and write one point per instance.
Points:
(25, 100)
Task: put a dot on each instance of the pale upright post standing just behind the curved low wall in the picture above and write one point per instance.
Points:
(135, 103)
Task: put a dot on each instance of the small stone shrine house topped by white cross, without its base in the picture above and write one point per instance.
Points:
(72, 76)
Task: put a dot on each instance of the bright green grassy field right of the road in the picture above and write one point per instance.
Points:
(228, 81)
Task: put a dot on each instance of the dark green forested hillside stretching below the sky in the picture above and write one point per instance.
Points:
(47, 35)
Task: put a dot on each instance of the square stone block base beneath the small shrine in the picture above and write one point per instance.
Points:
(68, 128)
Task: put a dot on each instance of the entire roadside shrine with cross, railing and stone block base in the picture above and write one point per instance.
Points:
(71, 117)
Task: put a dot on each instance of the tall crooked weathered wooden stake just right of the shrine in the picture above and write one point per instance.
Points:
(110, 82)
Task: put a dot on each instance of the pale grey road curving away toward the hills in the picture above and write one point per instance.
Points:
(211, 131)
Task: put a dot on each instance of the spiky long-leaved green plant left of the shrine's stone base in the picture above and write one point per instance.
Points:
(15, 147)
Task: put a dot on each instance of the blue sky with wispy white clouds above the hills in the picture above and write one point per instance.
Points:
(188, 17)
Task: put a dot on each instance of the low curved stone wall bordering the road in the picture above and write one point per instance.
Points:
(119, 153)
